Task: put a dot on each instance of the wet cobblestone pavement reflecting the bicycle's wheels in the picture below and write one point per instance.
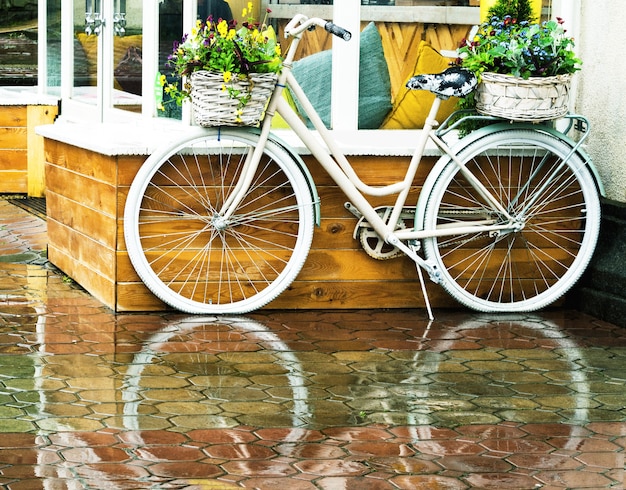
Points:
(299, 400)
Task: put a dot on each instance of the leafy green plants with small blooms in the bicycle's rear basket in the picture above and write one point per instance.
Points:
(520, 49)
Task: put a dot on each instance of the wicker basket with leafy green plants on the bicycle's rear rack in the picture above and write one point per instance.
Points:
(524, 68)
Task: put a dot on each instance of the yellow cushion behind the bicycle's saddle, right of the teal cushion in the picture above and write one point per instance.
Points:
(411, 107)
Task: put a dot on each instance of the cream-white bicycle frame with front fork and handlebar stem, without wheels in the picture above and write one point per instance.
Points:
(337, 165)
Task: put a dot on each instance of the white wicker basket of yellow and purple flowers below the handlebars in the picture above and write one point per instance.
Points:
(228, 72)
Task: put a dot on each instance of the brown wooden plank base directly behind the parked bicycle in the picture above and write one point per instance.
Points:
(86, 193)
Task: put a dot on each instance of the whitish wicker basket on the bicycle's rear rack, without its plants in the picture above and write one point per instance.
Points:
(535, 99)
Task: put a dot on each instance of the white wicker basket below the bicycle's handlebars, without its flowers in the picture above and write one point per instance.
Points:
(213, 106)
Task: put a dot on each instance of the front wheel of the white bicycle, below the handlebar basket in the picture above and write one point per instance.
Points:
(196, 259)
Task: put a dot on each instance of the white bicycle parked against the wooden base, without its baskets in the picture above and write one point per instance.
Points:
(222, 221)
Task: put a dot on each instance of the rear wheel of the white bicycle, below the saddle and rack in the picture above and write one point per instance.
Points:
(555, 208)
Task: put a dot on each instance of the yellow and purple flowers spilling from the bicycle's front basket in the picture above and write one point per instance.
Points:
(219, 46)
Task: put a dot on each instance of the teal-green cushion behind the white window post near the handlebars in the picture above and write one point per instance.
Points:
(314, 75)
